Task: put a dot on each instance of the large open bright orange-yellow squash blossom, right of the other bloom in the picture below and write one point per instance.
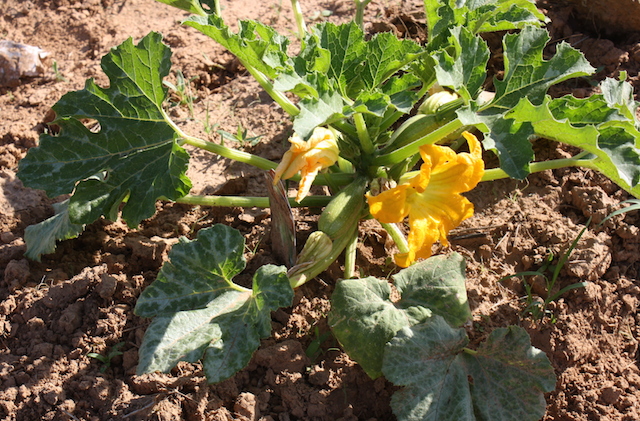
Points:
(432, 198)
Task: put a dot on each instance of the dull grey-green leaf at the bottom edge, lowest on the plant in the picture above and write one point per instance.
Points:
(503, 380)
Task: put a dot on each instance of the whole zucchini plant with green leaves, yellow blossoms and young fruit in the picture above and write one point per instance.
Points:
(355, 130)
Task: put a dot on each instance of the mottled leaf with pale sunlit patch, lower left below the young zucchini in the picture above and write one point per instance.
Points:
(200, 314)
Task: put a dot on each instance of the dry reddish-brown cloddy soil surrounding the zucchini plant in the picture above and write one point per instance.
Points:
(79, 300)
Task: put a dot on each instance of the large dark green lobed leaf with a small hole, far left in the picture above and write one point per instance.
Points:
(130, 152)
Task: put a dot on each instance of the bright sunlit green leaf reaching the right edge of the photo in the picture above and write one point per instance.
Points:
(613, 142)
